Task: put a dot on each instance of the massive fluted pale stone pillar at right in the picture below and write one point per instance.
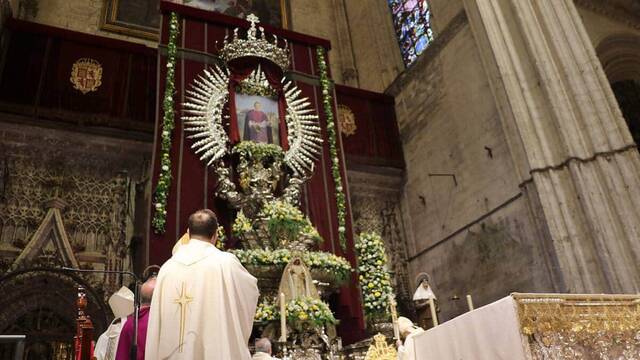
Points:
(571, 147)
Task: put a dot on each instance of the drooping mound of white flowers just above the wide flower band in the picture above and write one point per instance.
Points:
(287, 222)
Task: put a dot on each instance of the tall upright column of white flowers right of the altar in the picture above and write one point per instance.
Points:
(374, 278)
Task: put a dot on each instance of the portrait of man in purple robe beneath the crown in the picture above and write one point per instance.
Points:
(258, 118)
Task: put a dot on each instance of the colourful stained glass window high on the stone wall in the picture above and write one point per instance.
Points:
(412, 21)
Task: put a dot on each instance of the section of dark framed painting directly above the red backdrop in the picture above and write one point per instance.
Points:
(272, 12)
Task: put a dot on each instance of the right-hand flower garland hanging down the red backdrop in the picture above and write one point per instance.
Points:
(327, 100)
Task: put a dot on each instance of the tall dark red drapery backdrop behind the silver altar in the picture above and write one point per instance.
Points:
(193, 185)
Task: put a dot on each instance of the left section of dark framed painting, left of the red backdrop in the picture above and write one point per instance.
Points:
(139, 18)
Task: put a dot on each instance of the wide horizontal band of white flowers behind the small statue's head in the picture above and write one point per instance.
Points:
(315, 260)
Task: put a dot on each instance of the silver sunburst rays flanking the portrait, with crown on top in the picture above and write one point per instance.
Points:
(205, 118)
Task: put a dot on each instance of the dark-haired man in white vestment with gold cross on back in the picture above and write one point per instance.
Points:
(204, 301)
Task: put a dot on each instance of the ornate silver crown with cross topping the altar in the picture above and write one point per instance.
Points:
(256, 44)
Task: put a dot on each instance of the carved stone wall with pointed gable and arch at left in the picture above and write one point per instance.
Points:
(68, 200)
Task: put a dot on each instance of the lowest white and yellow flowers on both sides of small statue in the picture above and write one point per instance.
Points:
(301, 311)
